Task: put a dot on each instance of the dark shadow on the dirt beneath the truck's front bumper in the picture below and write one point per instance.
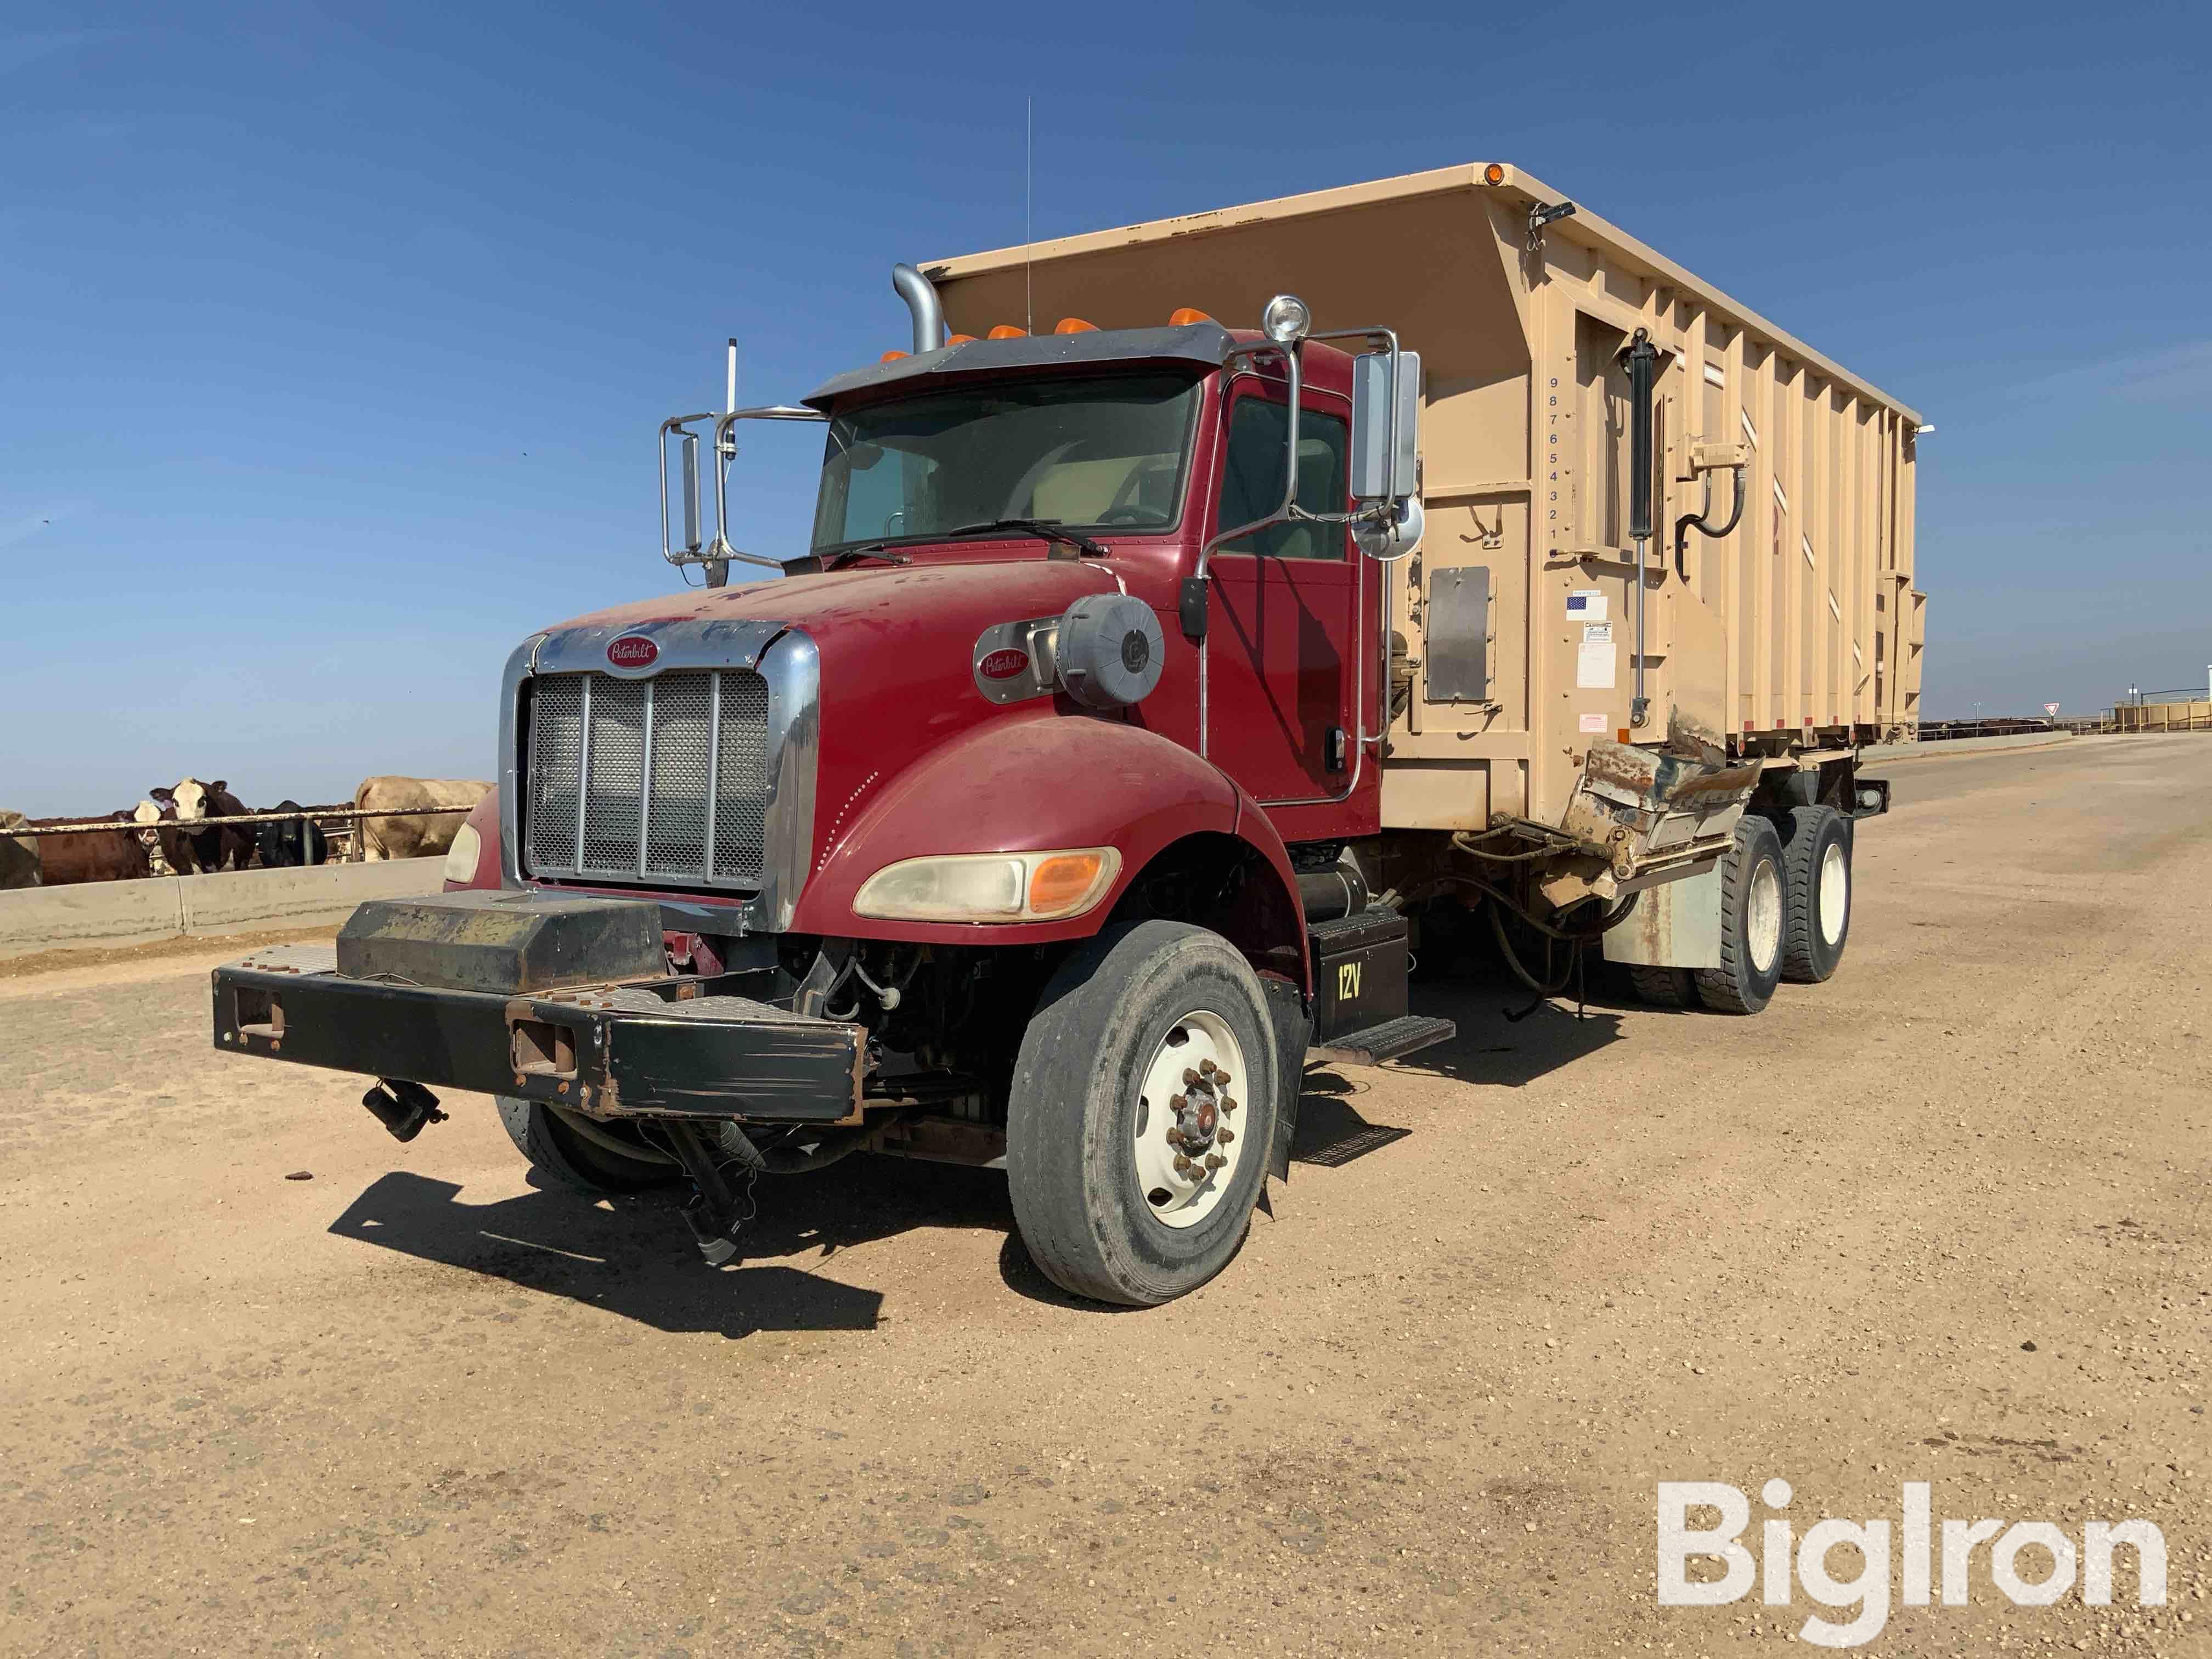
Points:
(634, 1258)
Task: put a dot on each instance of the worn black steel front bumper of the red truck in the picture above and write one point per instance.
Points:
(601, 1050)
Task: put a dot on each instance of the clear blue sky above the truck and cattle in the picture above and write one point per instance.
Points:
(335, 337)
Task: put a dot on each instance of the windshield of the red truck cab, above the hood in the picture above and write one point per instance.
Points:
(1092, 455)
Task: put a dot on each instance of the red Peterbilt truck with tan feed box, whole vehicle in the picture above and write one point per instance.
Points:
(1149, 691)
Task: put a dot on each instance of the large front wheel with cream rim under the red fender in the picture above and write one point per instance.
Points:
(1142, 1114)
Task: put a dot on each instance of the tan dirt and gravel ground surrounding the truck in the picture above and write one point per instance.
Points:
(1941, 1220)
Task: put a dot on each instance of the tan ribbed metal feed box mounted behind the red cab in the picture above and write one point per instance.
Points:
(1797, 632)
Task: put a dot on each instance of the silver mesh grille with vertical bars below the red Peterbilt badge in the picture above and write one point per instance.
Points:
(596, 742)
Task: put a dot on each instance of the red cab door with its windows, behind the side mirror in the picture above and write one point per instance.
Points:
(1282, 629)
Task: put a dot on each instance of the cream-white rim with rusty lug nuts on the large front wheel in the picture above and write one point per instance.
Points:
(1189, 1116)
